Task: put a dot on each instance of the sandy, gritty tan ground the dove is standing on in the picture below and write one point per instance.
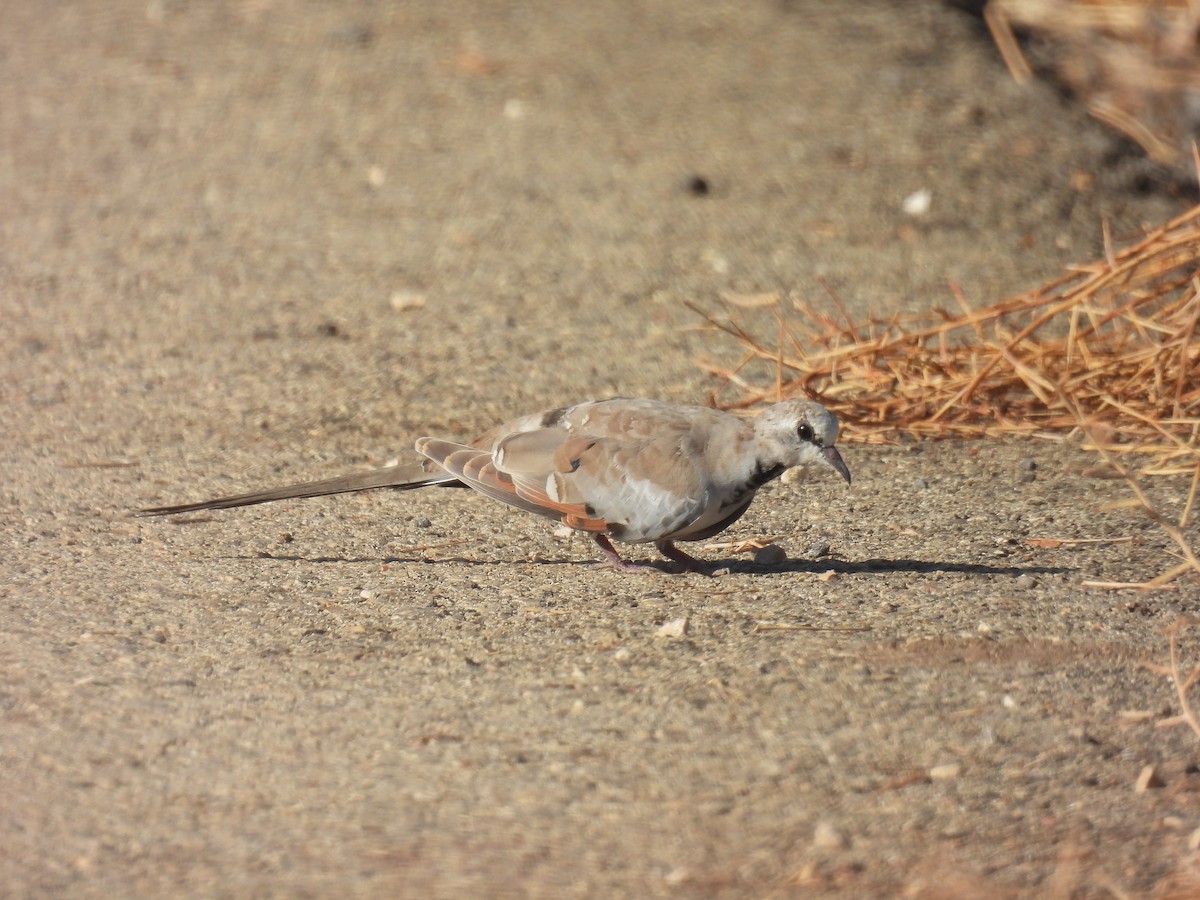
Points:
(263, 242)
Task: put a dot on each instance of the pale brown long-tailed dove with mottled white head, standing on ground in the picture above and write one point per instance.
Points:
(627, 470)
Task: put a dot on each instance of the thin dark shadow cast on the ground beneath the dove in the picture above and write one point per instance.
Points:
(735, 567)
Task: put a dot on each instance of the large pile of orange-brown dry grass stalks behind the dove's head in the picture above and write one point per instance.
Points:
(1109, 353)
